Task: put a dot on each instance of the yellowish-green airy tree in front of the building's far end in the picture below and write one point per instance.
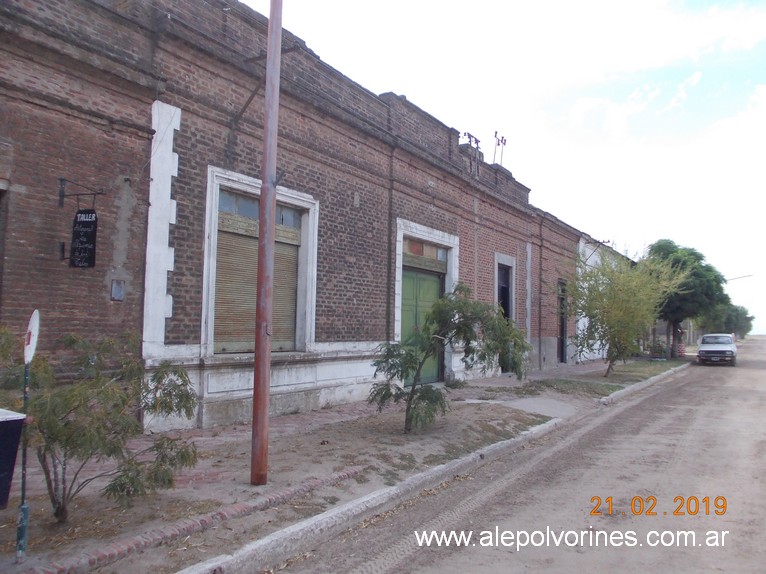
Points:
(619, 301)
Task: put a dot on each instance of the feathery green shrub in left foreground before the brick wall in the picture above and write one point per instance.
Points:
(95, 417)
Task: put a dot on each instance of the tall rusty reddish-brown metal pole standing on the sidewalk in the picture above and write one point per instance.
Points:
(259, 460)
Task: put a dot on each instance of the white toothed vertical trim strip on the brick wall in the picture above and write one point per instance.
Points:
(160, 257)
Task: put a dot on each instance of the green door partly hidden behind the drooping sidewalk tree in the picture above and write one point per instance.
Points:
(419, 292)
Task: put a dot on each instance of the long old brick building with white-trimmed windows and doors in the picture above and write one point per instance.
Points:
(158, 106)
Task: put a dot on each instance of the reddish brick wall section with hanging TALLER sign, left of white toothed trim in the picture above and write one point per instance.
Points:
(61, 118)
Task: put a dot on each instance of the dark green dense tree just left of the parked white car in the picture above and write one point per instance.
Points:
(700, 292)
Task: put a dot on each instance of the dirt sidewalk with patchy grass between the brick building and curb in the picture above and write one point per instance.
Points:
(317, 461)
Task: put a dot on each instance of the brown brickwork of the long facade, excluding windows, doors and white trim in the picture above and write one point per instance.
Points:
(78, 79)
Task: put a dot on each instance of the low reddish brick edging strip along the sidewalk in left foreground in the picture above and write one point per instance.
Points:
(119, 549)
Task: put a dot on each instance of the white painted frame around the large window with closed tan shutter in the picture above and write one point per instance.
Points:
(307, 254)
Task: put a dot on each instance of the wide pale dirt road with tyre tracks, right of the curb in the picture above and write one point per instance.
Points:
(670, 480)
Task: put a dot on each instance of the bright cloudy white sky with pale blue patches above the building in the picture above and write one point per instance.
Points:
(631, 121)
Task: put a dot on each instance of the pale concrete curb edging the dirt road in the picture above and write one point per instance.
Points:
(299, 537)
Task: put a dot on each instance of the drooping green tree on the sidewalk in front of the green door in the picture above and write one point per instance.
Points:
(457, 320)
